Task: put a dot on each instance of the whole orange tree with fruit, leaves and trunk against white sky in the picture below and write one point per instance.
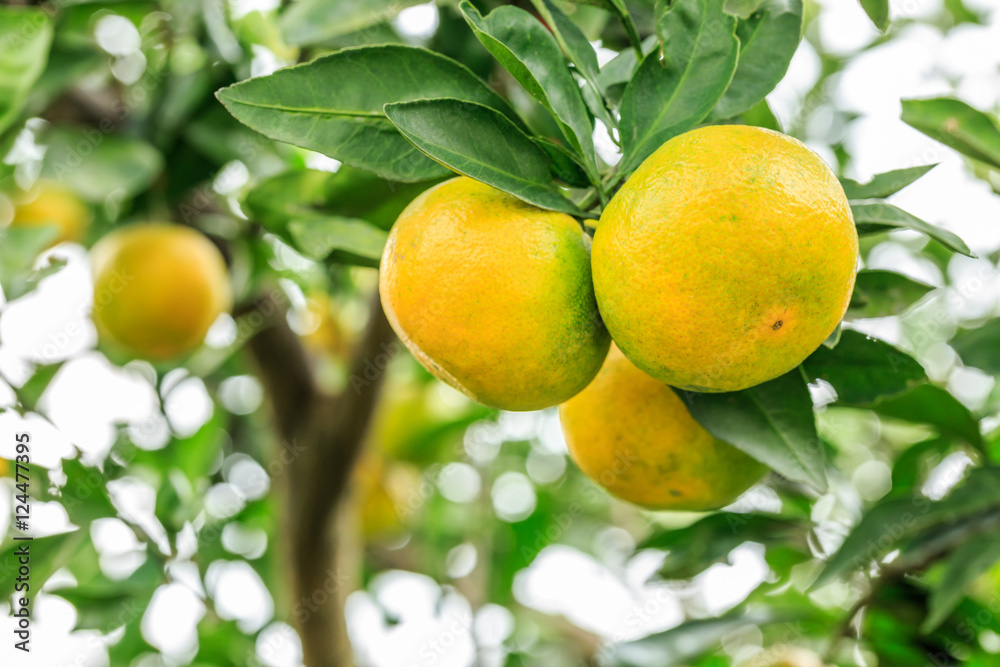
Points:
(281, 187)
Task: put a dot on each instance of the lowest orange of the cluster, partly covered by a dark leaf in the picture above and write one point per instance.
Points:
(634, 436)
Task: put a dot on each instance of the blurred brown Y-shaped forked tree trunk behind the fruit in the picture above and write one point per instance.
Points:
(322, 436)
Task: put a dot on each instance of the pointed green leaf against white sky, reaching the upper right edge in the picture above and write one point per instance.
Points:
(954, 123)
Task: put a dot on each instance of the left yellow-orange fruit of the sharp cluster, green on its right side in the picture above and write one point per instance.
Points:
(494, 296)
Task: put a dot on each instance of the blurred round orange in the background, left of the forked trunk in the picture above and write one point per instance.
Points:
(158, 288)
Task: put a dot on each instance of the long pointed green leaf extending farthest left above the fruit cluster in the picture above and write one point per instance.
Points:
(331, 105)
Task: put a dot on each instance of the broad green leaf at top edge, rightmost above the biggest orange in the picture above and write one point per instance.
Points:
(768, 40)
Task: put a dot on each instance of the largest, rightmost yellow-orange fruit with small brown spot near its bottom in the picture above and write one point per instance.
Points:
(726, 259)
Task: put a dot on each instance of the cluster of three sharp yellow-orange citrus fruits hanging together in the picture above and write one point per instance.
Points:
(722, 262)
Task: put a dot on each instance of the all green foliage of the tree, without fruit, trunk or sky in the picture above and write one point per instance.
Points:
(513, 96)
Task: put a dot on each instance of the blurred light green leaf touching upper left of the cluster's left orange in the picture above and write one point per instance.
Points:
(318, 237)
